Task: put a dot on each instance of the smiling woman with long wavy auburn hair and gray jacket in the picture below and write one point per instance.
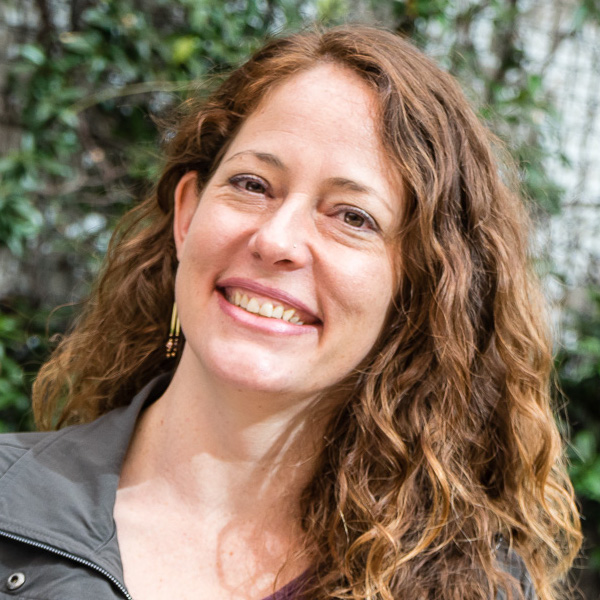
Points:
(361, 406)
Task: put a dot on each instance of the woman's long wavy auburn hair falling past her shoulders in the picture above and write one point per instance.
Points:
(446, 437)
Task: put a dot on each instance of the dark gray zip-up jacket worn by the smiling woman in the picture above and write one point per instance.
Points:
(57, 492)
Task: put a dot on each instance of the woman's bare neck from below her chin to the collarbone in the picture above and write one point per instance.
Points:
(224, 450)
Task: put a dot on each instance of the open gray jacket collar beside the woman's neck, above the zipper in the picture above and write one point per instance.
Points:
(62, 490)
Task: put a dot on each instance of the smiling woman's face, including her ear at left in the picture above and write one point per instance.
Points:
(286, 268)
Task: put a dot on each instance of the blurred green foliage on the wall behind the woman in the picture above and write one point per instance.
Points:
(87, 78)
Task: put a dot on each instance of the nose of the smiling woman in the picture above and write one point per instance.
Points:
(282, 238)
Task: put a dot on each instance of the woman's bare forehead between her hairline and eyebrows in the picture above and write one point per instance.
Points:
(322, 122)
